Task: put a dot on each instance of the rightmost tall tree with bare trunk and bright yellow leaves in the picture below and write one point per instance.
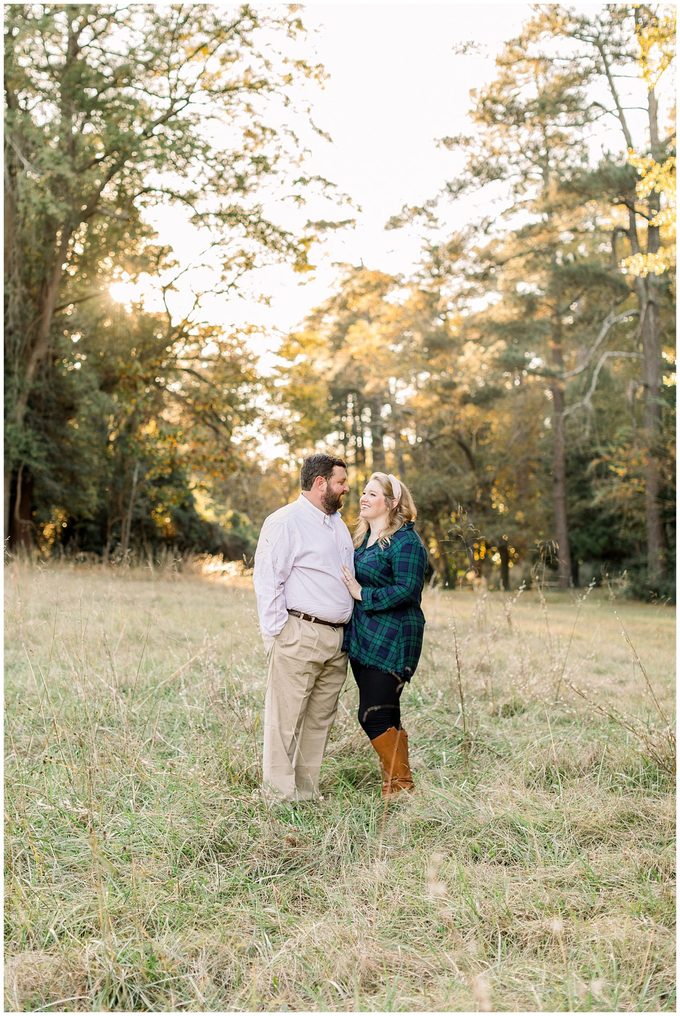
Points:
(622, 40)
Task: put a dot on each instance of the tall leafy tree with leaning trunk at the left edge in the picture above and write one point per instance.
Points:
(110, 110)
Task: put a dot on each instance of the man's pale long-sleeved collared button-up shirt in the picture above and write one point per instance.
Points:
(299, 566)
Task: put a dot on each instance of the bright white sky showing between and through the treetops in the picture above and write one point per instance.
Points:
(395, 87)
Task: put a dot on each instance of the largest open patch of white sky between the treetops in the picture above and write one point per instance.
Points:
(395, 88)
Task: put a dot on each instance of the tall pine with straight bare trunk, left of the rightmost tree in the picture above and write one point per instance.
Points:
(530, 136)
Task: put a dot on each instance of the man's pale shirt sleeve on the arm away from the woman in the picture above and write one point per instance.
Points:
(274, 561)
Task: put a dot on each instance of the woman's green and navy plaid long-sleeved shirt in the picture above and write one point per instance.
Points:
(387, 627)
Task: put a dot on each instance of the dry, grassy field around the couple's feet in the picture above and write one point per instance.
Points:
(533, 870)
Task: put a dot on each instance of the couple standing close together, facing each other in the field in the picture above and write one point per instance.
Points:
(324, 597)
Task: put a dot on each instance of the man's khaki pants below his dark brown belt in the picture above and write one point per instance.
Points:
(307, 671)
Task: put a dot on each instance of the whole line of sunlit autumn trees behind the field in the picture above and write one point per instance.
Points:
(521, 382)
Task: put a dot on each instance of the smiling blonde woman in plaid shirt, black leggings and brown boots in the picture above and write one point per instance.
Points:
(385, 637)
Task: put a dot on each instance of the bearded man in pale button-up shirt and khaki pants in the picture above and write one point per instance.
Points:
(303, 604)
